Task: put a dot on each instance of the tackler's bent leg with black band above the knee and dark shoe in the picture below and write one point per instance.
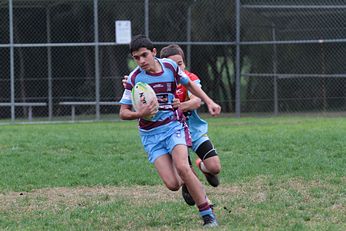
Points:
(208, 162)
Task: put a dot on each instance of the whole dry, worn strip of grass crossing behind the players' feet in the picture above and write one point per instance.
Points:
(260, 190)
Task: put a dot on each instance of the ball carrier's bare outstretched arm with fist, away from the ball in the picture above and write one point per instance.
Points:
(214, 109)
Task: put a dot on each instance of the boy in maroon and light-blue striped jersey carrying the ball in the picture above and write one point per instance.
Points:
(163, 136)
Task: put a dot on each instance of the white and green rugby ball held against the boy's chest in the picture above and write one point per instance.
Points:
(143, 93)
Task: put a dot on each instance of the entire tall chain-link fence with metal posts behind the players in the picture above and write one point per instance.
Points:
(59, 59)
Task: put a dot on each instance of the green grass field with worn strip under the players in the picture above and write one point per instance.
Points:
(282, 173)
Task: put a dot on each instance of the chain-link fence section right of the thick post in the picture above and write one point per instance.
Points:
(295, 51)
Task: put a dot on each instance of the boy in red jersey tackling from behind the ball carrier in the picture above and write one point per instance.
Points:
(208, 161)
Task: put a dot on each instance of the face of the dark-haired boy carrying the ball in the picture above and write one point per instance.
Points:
(145, 58)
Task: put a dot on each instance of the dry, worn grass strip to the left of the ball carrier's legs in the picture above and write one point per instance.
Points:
(48, 198)
